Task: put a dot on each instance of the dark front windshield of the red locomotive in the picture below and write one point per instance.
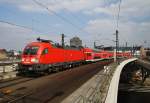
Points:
(31, 50)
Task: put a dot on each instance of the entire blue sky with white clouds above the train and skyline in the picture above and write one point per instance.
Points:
(22, 21)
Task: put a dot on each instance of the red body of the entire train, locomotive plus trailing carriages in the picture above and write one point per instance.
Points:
(52, 55)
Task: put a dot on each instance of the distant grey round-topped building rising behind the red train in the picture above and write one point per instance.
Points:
(75, 42)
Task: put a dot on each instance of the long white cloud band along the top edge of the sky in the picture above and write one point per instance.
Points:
(129, 8)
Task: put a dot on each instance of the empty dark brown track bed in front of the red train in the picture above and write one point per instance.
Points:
(52, 88)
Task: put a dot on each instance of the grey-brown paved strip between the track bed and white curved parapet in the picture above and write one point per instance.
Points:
(91, 91)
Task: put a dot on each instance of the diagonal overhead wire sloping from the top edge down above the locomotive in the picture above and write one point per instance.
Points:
(59, 16)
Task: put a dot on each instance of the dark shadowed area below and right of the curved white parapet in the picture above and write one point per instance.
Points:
(132, 89)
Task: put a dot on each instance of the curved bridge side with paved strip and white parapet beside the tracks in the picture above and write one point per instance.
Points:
(104, 86)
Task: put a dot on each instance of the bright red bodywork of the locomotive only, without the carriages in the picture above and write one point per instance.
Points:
(54, 54)
